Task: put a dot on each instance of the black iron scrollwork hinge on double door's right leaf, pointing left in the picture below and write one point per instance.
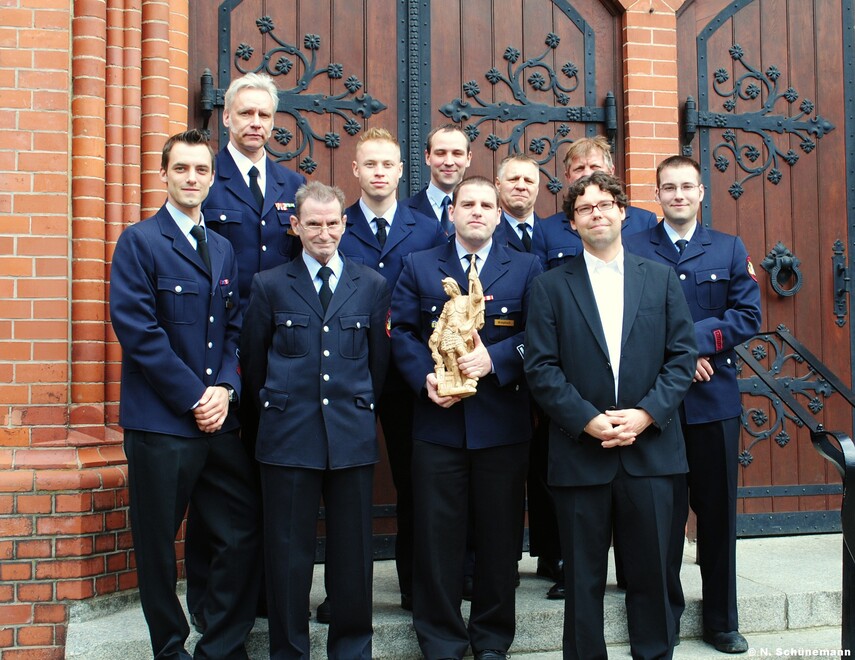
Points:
(521, 76)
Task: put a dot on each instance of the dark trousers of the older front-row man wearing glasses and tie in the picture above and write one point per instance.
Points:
(292, 497)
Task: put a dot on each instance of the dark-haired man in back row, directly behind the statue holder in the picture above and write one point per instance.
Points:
(448, 154)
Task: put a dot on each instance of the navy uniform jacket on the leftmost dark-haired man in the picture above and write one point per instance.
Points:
(178, 326)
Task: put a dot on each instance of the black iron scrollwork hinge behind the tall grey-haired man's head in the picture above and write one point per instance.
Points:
(279, 62)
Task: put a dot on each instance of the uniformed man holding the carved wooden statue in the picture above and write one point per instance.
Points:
(469, 455)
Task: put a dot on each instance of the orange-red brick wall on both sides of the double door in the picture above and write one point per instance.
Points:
(89, 90)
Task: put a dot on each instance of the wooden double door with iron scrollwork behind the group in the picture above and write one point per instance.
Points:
(520, 75)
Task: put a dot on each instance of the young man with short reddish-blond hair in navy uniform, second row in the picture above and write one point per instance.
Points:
(380, 233)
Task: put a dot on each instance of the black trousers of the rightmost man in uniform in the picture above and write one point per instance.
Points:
(713, 451)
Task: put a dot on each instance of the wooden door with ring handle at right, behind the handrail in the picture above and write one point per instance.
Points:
(766, 115)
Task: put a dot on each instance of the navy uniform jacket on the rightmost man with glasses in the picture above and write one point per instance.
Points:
(724, 299)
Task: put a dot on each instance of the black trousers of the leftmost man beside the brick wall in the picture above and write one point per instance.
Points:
(165, 474)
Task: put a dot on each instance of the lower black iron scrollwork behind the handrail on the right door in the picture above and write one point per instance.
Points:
(775, 352)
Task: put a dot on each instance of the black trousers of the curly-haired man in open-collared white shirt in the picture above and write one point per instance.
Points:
(640, 511)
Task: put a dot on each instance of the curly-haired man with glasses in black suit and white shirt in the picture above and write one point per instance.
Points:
(610, 355)
